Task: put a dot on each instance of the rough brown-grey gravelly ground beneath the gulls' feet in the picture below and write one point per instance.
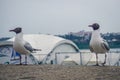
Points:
(58, 72)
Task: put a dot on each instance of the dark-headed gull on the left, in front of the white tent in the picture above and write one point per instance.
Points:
(20, 45)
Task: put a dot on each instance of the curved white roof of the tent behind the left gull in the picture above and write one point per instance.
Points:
(45, 42)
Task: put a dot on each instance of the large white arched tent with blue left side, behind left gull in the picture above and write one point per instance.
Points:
(49, 44)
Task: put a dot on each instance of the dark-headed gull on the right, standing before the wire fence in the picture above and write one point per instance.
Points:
(97, 44)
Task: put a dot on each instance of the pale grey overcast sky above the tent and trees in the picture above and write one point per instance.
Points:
(58, 16)
